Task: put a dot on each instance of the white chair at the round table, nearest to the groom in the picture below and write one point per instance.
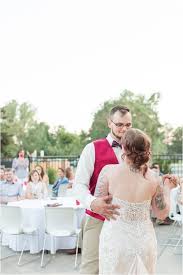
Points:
(61, 222)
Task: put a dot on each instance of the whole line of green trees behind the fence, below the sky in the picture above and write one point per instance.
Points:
(20, 129)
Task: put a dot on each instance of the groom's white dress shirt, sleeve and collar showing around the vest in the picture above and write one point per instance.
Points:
(85, 170)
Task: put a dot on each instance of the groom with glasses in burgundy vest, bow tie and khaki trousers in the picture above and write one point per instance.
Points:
(94, 157)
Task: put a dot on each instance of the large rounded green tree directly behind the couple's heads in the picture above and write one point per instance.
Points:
(144, 114)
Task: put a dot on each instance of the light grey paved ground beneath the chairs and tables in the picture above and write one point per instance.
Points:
(169, 262)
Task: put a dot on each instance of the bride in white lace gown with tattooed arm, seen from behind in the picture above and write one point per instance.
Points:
(128, 243)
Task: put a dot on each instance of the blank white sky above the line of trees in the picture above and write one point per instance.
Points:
(67, 57)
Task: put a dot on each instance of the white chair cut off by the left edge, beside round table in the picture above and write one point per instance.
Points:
(12, 225)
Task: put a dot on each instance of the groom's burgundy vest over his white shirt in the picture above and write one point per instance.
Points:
(104, 155)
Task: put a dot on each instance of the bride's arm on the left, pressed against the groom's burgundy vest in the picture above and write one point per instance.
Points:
(102, 186)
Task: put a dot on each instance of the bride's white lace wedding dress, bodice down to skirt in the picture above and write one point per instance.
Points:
(128, 244)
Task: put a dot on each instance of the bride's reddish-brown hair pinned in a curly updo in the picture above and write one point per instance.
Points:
(137, 147)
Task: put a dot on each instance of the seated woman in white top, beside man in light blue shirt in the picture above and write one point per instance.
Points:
(36, 189)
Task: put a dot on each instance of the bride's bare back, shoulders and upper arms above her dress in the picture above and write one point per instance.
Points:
(119, 181)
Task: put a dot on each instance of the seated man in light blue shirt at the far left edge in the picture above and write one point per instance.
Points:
(10, 190)
